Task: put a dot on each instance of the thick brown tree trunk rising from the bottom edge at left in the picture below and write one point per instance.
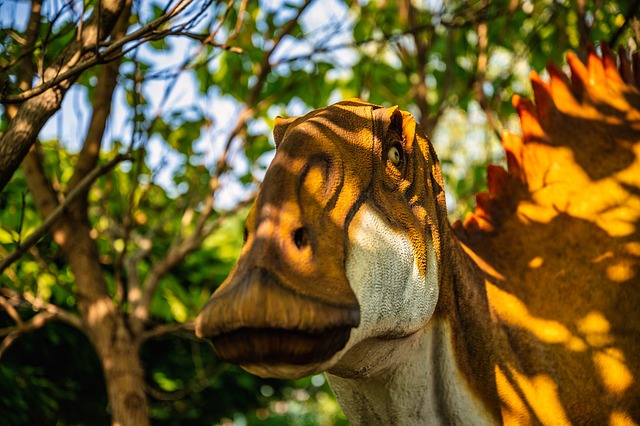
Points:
(104, 325)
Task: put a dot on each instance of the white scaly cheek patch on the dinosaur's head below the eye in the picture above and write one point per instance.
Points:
(395, 299)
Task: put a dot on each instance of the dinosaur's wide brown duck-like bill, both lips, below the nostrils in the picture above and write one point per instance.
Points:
(256, 320)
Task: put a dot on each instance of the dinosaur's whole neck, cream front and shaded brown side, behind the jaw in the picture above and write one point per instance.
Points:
(428, 380)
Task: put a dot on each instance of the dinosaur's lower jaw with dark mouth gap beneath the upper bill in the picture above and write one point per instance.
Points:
(278, 352)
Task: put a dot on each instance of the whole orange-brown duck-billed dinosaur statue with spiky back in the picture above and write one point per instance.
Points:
(528, 312)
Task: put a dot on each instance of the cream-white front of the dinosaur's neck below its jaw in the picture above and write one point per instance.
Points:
(424, 386)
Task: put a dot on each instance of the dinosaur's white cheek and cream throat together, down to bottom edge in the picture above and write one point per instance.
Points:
(398, 366)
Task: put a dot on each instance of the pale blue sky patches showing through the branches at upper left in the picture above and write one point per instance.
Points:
(69, 125)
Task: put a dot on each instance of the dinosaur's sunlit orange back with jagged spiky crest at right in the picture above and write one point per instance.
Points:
(558, 237)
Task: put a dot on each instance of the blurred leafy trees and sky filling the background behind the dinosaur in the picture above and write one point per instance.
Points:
(143, 130)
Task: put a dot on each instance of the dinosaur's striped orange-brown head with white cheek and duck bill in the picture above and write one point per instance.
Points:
(341, 246)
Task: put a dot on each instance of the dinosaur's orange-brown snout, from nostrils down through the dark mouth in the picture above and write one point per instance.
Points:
(287, 301)
